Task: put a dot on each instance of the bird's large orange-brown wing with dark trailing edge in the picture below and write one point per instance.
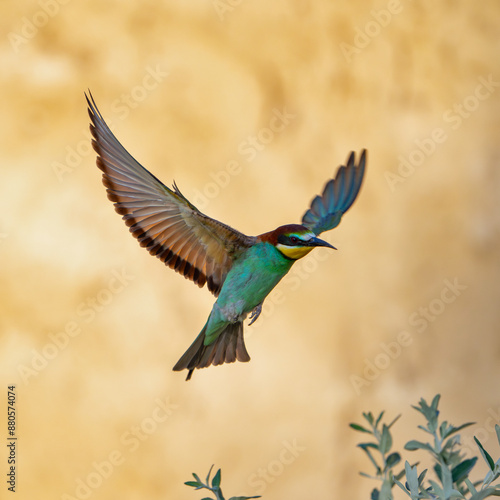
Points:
(162, 219)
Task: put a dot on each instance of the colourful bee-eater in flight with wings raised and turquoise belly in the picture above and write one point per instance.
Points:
(239, 270)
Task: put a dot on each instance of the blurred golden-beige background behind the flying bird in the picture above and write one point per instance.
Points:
(91, 325)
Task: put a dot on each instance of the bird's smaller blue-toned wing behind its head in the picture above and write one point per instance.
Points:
(338, 195)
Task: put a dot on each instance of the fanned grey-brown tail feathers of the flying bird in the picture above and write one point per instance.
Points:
(227, 348)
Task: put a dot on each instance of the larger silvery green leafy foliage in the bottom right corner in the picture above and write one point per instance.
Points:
(451, 469)
